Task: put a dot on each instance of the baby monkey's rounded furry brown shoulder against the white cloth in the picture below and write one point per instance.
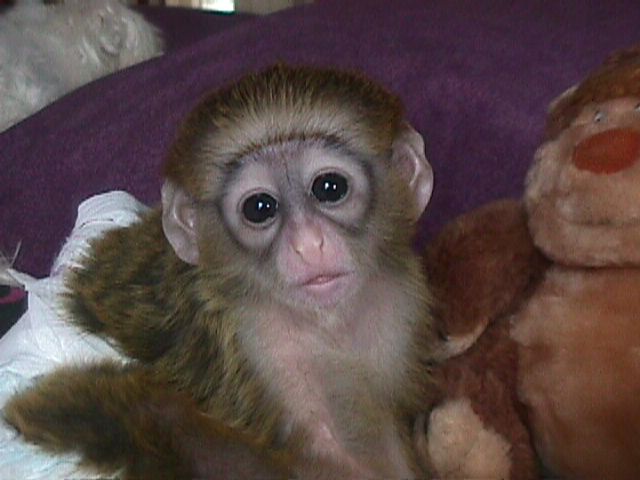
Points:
(125, 285)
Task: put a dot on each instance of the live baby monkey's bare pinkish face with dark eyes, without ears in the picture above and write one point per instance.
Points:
(298, 215)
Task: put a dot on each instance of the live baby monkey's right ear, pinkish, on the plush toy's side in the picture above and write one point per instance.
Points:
(412, 163)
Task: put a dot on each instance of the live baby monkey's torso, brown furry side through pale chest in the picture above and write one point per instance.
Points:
(334, 385)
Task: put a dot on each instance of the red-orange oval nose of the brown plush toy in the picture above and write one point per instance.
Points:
(608, 152)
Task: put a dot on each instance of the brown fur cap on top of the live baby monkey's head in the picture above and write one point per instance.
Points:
(279, 104)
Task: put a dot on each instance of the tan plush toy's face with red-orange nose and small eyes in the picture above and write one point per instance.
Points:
(582, 193)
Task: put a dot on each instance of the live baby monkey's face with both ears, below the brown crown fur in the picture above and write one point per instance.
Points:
(305, 222)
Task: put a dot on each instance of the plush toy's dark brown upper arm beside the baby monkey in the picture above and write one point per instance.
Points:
(480, 266)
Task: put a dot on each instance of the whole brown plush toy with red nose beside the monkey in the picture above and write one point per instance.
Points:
(558, 335)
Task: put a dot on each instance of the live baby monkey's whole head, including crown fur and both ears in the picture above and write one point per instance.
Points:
(297, 185)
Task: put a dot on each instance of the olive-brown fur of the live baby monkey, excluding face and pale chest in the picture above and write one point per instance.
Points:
(180, 323)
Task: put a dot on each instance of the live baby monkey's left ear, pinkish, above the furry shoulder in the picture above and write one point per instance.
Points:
(179, 222)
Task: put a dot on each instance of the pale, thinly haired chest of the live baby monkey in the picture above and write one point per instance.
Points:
(337, 383)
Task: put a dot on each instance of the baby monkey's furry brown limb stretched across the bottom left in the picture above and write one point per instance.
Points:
(119, 420)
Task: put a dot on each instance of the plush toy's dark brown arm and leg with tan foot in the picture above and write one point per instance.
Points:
(483, 265)
